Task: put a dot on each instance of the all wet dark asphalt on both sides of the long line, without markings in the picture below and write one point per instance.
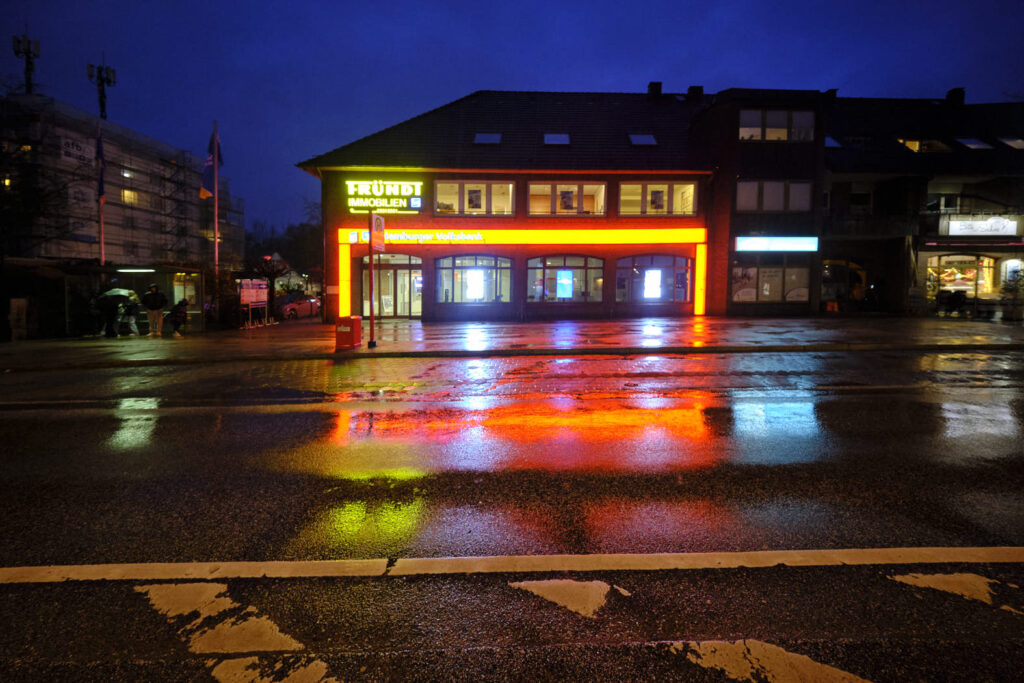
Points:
(312, 459)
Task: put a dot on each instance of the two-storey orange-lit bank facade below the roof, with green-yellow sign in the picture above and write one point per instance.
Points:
(565, 246)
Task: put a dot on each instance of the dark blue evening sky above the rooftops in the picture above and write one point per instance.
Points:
(291, 80)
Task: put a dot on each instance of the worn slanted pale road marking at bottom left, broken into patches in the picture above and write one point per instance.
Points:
(224, 627)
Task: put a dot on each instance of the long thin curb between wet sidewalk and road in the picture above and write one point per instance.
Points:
(361, 355)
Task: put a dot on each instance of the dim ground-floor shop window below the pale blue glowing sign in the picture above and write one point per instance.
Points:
(771, 279)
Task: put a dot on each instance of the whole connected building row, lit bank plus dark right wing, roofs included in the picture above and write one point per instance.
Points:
(546, 205)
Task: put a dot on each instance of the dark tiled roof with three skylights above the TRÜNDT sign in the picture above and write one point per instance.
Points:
(599, 126)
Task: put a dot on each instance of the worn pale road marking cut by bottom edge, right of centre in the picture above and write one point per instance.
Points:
(757, 661)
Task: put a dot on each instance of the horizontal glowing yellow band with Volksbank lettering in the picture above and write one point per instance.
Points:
(665, 236)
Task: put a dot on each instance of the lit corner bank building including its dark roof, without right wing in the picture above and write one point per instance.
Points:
(509, 219)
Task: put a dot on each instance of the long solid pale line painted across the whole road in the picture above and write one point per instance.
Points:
(507, 565)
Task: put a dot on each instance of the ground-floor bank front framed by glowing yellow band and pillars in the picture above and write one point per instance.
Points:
(537, 274)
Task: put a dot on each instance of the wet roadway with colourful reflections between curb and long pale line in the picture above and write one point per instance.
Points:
(536, 456)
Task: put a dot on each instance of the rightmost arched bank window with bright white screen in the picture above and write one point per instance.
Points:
(654, 279)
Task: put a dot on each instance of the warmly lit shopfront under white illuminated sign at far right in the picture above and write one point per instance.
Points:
(966, 268)
